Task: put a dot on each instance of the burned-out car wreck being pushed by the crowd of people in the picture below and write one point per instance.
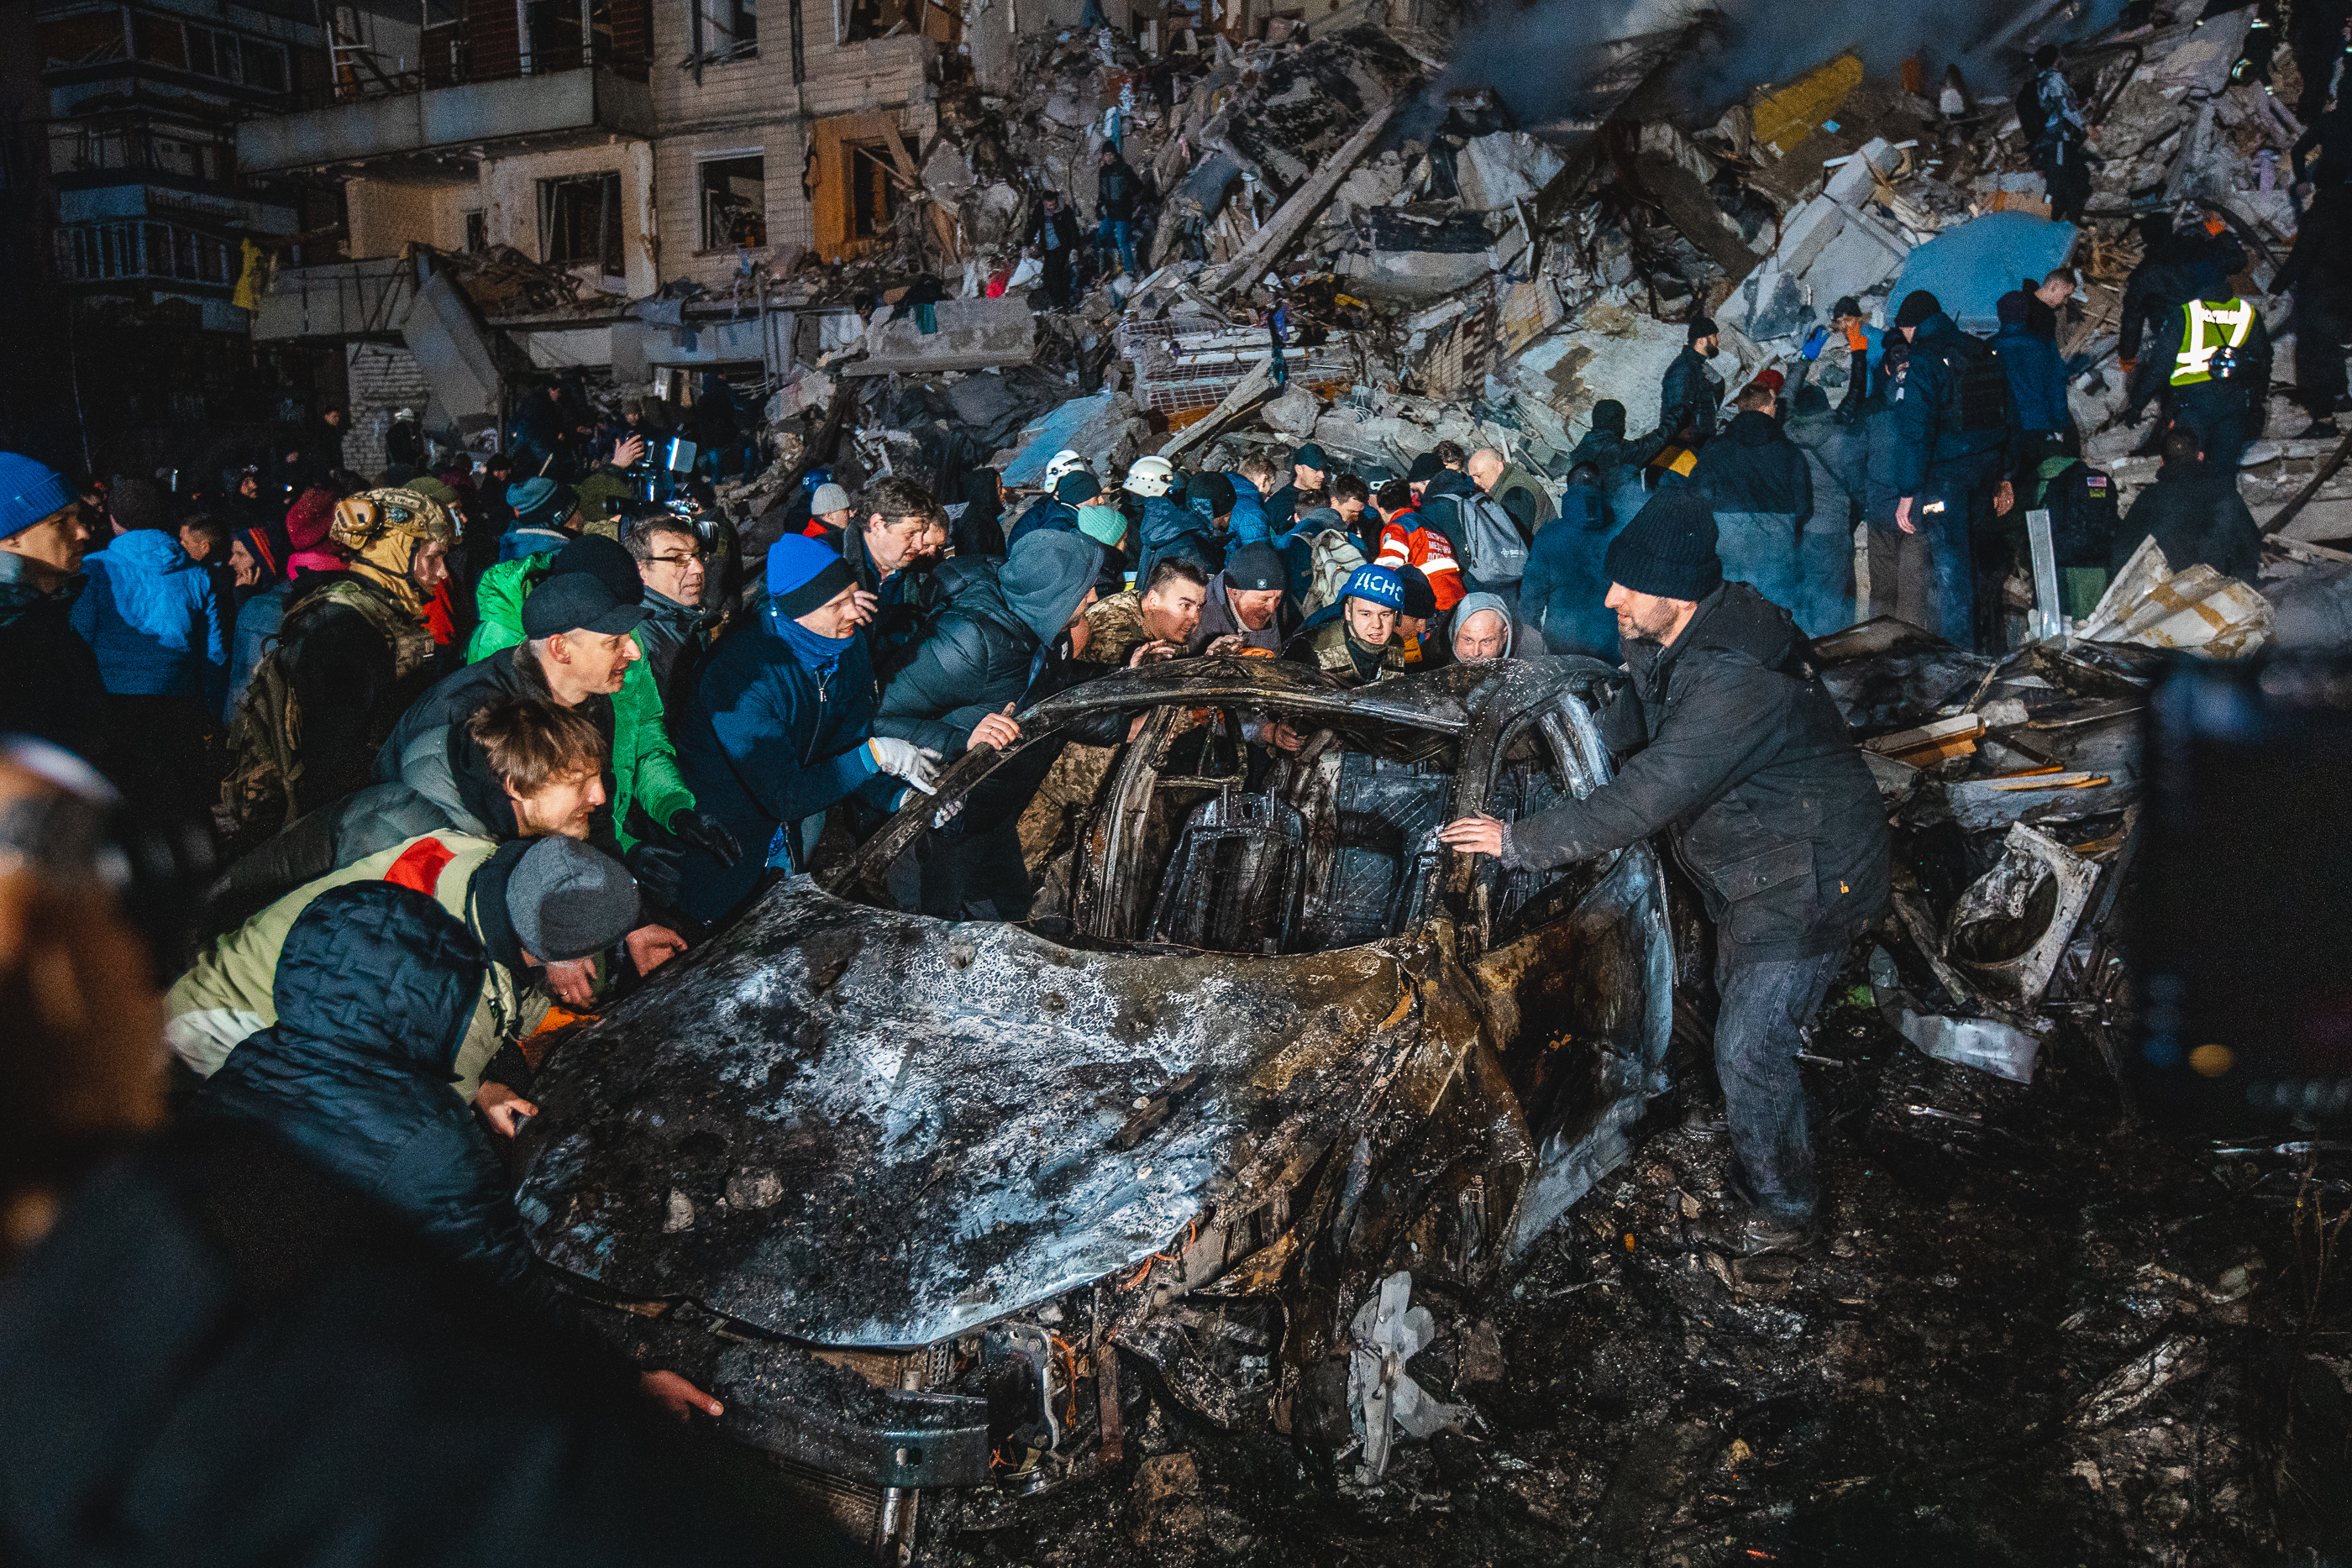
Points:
(1262, 1061)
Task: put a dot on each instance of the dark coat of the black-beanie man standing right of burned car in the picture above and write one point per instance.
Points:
(1735, 751)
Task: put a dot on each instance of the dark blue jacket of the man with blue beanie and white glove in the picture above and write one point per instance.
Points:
(766, 742)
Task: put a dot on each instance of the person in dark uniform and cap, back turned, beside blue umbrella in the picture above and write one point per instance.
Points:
(1951, 455)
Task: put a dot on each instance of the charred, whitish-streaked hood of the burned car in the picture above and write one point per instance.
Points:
(857, 1127)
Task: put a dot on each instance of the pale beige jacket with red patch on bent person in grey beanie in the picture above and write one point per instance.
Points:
(232, 993)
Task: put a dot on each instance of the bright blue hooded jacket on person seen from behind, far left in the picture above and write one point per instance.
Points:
(152, 619)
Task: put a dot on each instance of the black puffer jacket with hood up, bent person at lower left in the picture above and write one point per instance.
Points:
(375, 989)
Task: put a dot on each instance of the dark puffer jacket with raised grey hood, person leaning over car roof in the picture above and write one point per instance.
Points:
(982, 652)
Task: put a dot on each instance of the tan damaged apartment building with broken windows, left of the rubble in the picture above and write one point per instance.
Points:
(570, 159)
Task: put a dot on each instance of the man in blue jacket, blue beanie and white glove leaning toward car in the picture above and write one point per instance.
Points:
(782, 728)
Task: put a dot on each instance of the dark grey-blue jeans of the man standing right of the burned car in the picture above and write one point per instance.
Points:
(1768, 1010)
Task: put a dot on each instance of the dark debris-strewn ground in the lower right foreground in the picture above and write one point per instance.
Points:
(2038, 1334)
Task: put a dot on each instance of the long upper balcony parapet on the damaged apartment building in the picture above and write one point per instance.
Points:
(521, 112)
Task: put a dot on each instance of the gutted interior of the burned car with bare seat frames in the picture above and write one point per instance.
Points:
(1210, 840)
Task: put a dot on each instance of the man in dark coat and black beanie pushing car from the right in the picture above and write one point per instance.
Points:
(1730, 746)
